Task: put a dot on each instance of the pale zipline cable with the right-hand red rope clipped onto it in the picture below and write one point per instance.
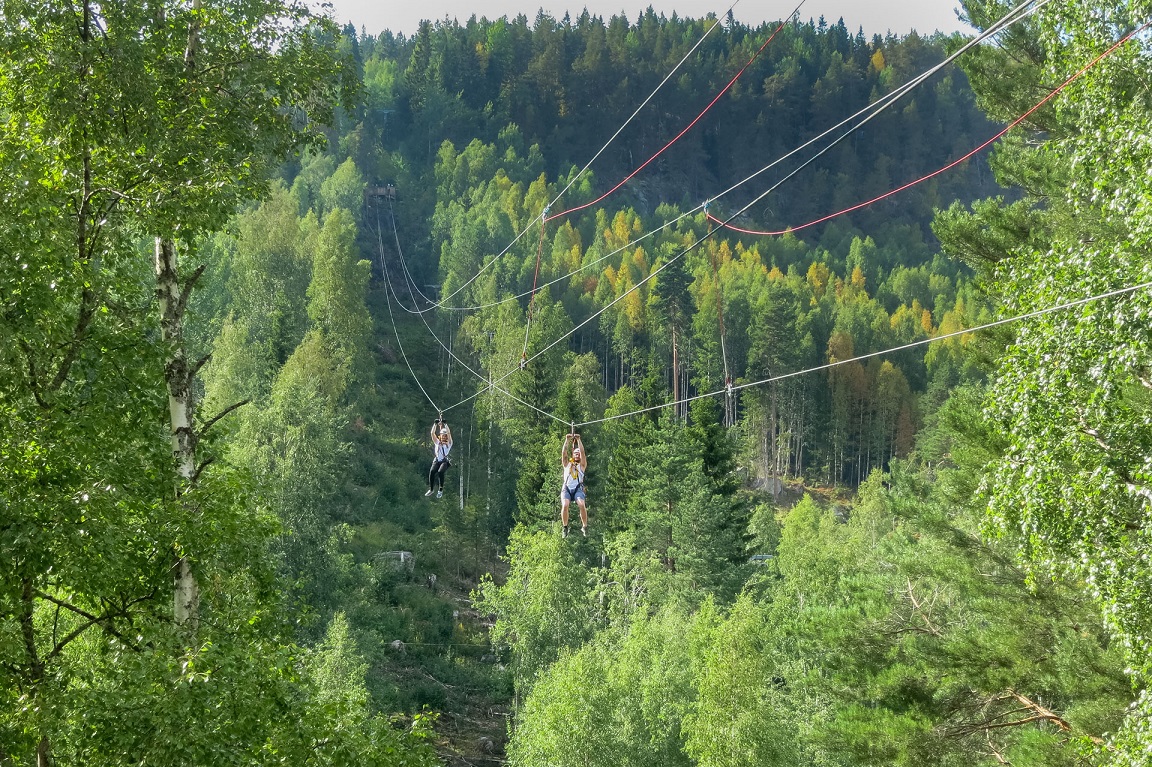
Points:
(1019, 13)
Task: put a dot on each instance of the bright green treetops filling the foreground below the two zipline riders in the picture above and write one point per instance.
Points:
(883, 634)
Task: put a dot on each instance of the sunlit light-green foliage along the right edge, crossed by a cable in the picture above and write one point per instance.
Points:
(1070, 393)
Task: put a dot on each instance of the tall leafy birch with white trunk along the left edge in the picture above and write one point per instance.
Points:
(120, 124)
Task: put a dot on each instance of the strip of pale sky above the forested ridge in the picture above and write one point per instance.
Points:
(876, 17)
